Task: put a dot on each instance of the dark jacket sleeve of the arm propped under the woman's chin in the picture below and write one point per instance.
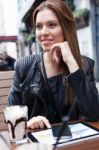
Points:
(83, 85)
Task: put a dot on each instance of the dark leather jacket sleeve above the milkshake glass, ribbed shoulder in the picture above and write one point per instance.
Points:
(22, 67)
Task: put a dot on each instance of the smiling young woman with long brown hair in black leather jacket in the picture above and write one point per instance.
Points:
(58, 79)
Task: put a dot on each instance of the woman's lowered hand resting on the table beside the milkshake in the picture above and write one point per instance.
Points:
(38, 122)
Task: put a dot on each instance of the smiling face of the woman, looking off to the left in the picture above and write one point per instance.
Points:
(48, 29)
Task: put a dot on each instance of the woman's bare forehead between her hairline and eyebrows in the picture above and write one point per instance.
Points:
(45, 15)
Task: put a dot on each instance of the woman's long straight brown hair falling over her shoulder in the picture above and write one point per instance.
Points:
(67, 22)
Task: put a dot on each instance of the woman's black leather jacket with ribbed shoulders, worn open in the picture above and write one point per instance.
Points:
(29, 89)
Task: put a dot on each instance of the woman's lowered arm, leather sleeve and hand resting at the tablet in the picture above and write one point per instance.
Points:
(15, 95)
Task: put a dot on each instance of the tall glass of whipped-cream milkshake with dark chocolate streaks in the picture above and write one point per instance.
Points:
(16, 118)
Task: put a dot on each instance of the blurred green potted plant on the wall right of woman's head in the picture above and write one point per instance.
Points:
(81, 17)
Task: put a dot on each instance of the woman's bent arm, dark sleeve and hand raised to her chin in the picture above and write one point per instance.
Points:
(82, 83)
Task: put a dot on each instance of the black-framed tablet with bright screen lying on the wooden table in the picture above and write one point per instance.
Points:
(72, 132)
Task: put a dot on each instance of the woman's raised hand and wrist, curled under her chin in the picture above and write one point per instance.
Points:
(62, 51)
